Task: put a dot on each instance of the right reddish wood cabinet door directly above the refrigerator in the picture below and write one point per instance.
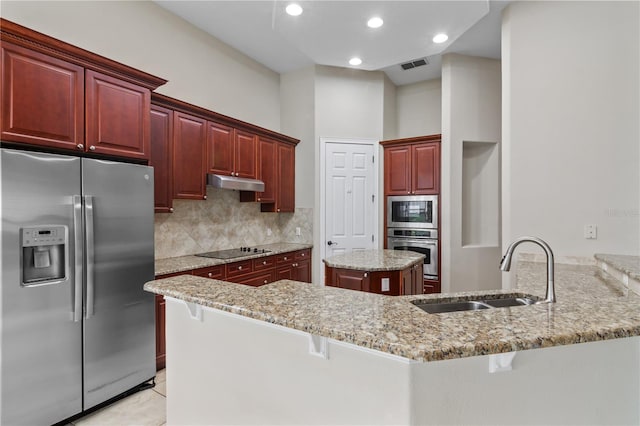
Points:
(118, 119)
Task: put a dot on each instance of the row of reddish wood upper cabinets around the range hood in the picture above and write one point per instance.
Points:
(208, 142)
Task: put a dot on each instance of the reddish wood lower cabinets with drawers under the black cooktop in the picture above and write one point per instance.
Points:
(294, 265)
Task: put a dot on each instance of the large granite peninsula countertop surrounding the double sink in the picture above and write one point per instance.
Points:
(591, 306)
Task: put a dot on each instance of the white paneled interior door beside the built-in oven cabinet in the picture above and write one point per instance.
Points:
(350, 201)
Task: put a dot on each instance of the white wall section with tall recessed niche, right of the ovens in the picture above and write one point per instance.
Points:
(471, 107)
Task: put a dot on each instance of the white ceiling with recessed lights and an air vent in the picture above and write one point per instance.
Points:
(331, 32)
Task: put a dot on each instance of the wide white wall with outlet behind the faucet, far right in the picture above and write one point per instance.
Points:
(571, 125)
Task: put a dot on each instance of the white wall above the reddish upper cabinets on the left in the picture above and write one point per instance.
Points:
(201, 70)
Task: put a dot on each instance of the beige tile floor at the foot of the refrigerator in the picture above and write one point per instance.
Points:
(145, 408)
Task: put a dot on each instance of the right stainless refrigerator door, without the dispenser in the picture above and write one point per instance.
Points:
(119, 326)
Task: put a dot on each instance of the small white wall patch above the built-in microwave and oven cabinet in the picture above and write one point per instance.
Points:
(419, 109)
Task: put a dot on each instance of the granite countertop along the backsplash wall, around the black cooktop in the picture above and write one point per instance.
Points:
(186, 263)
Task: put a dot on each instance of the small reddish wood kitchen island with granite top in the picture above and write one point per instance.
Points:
(390, 272)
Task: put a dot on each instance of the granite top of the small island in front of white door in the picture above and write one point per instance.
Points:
(375, 260)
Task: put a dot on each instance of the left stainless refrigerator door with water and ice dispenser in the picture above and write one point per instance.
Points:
(41, 344)
